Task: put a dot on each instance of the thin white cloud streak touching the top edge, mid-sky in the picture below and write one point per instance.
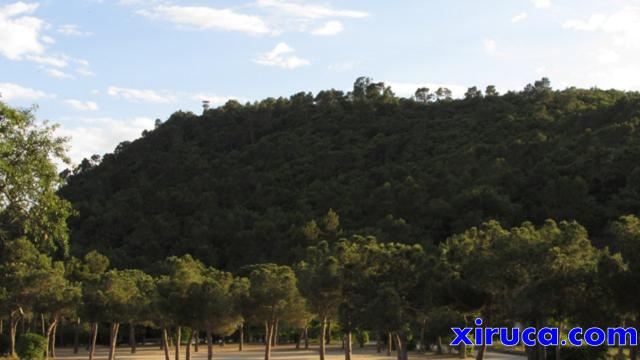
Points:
(309, 11)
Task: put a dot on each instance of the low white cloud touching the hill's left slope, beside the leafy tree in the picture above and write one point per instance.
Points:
(100, 135)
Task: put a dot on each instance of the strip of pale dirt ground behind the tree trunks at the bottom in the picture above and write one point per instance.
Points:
(251, 352)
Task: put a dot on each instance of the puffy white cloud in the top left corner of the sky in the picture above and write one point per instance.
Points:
(20, 33)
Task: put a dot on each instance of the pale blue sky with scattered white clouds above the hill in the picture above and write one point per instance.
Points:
(104, 70)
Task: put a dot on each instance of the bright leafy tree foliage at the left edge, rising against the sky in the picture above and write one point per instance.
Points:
(29, 205)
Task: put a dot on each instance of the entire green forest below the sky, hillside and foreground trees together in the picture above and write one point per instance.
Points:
(340, 216)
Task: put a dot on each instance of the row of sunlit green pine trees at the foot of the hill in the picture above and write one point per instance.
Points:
(400, 295)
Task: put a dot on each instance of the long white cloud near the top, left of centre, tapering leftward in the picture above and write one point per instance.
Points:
(203, 17)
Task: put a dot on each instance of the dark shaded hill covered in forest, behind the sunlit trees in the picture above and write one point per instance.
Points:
(237, 184)
